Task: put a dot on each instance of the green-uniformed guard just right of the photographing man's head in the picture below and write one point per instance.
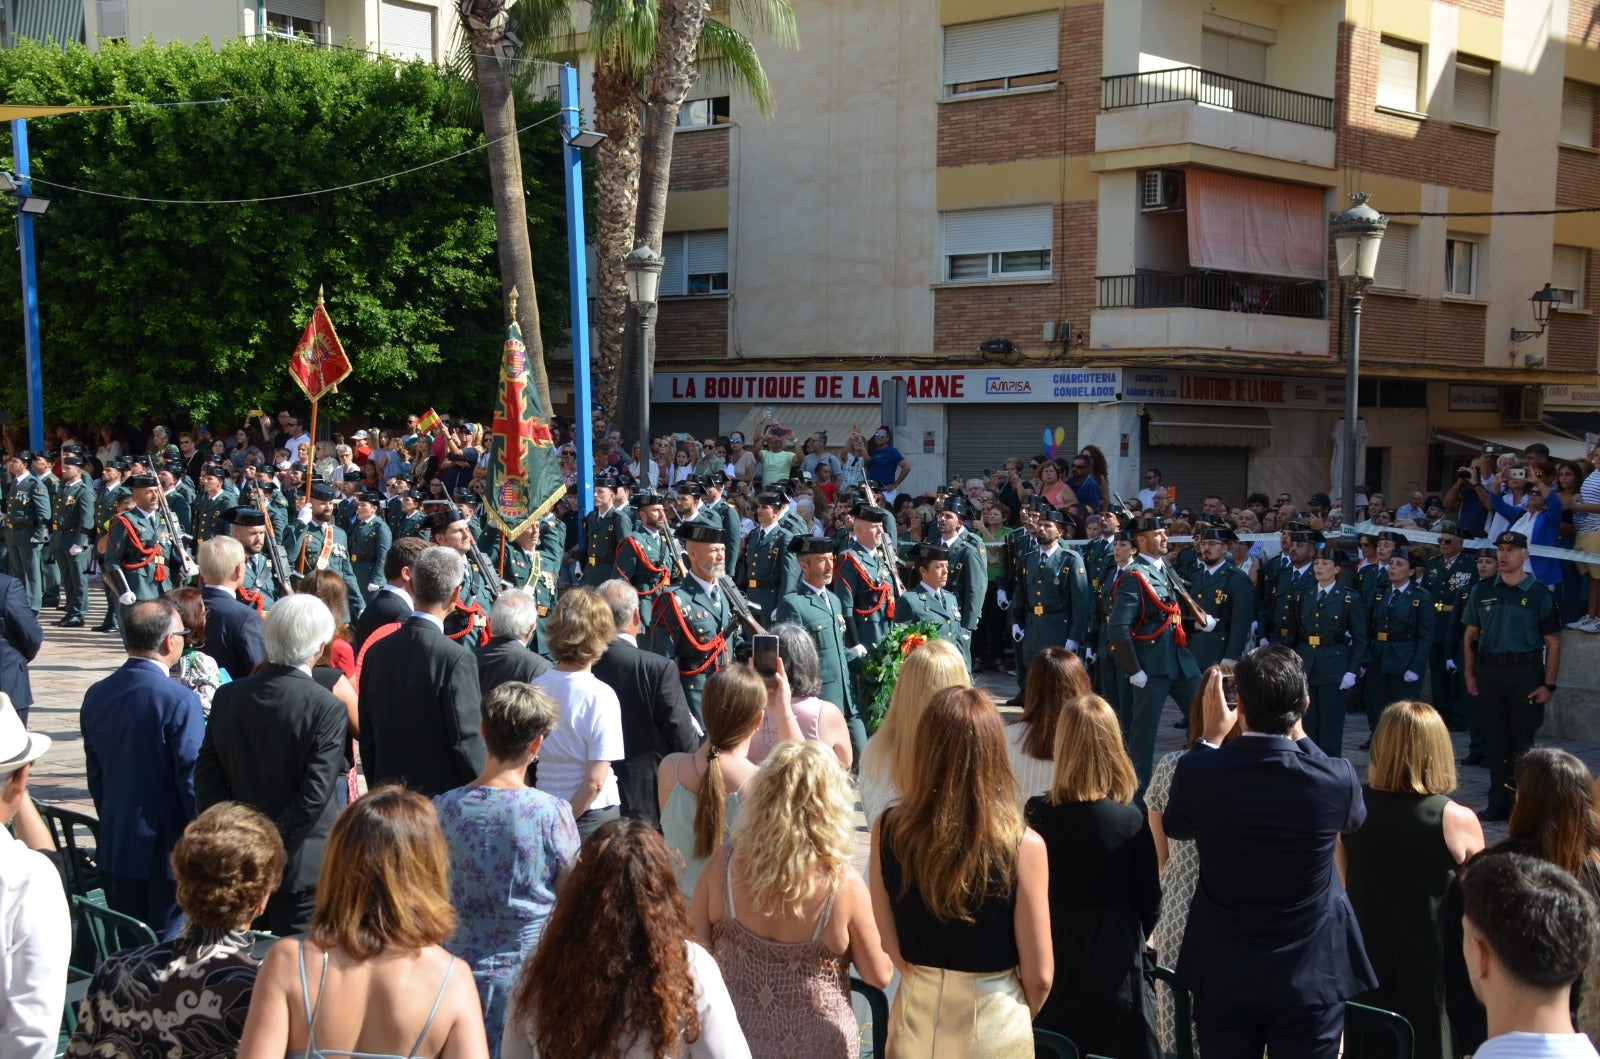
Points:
(1329, 633)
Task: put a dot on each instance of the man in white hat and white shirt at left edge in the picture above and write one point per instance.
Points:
(36, 932)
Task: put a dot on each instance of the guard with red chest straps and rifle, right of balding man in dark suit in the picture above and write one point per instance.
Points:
(695, 615)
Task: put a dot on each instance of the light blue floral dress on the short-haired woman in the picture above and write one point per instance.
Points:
(508, 847)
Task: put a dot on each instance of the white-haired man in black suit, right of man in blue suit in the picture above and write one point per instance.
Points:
(276, 743)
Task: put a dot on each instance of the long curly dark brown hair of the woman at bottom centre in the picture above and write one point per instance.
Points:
(615, 943)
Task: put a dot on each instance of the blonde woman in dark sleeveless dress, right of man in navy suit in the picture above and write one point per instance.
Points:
(1399, 866)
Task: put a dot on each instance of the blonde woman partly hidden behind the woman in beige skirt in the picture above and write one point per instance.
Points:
(889, 759)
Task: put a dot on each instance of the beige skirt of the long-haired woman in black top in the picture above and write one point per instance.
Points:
(958, 1015)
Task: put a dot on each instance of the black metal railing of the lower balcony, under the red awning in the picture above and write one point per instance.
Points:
(1228, 292)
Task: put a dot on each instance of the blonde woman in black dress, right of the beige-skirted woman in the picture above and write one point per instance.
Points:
(1105, 889)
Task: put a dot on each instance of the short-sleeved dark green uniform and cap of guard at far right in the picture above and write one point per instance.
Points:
(1510, 660)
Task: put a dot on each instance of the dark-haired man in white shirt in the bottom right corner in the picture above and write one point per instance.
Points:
(1529, 933)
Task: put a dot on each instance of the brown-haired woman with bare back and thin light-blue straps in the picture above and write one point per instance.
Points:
(362, 980)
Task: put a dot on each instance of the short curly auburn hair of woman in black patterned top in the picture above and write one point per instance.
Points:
(226, 865)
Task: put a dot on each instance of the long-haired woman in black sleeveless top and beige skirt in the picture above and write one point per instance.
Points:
(961, 892)
